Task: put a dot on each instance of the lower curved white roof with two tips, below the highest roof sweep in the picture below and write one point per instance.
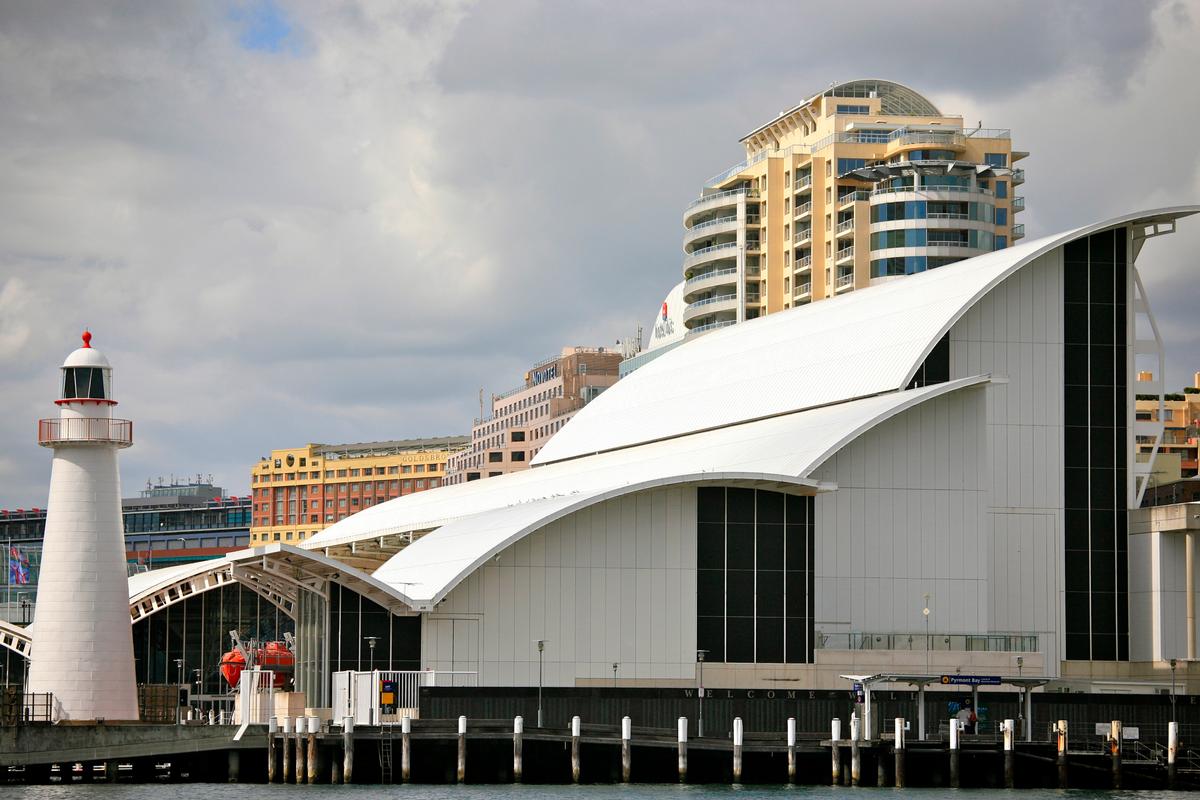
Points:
(782, 452)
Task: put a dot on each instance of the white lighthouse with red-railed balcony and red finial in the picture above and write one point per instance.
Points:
(83, 641)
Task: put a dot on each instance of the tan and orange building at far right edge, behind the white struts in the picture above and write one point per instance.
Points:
(1178, 453)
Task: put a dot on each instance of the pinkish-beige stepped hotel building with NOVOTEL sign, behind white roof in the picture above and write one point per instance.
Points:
(524, 419)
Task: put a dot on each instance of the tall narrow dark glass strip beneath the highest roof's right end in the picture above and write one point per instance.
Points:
(1095, 454)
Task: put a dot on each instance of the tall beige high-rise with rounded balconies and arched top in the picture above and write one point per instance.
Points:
(865, 182)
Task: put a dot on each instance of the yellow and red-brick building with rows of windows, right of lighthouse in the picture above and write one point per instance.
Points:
(299, 491)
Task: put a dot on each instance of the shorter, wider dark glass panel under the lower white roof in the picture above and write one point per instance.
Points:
(754, 592)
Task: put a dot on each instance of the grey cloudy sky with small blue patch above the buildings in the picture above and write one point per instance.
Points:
(291, 222)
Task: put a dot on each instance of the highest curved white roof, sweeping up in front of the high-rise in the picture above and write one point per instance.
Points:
(859, 345)
